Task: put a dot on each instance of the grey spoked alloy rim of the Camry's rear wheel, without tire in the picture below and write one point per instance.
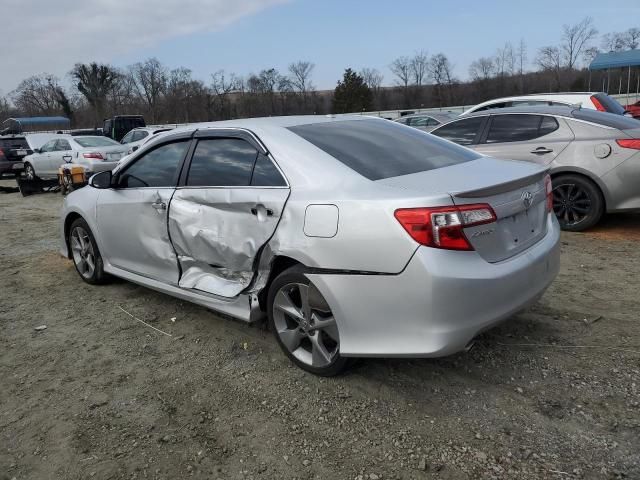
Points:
(305, 325)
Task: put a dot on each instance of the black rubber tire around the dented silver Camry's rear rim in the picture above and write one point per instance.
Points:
(295, 276)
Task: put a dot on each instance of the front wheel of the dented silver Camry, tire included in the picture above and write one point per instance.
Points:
(85, 253)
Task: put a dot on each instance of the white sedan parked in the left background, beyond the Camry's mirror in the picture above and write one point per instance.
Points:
(94, 153)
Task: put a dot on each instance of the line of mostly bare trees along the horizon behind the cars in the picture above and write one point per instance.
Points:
(165, 95)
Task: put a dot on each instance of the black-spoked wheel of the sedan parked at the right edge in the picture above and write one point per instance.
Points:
(577, 202)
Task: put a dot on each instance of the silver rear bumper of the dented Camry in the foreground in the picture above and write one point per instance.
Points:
(440, 302)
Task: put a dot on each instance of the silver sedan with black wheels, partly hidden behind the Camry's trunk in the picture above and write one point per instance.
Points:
(594, 156)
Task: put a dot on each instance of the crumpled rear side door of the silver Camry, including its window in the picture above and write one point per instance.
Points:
(226, 208)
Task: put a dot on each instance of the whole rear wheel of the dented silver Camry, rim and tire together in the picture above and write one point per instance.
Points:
(303, 324)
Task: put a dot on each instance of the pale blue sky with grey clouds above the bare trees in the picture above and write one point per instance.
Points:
(245, 36)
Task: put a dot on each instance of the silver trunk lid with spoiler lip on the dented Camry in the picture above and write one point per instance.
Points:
(515, 190)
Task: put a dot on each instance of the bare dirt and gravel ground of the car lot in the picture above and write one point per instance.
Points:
(551, 393)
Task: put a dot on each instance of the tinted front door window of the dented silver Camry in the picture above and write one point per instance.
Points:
(157, 168)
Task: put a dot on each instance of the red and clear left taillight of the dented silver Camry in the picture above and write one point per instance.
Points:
(443, 227)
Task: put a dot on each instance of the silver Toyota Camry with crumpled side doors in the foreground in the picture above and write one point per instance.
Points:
(355, 236)
